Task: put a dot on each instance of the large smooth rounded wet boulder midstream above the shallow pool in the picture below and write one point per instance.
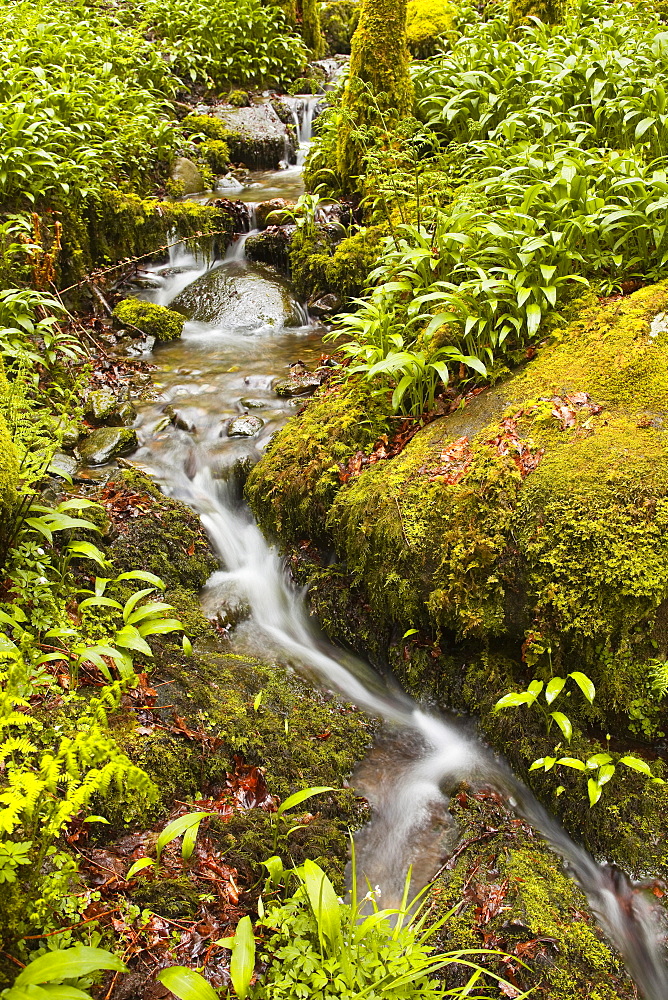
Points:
(240, 299)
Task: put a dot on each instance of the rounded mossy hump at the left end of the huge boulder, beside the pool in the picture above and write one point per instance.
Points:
(293, 487)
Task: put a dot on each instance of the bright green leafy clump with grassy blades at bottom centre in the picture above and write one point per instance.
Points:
(320, 947)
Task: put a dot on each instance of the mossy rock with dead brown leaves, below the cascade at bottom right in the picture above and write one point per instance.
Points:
(509, 892)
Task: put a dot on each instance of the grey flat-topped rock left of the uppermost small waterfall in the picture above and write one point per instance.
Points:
(258, 138)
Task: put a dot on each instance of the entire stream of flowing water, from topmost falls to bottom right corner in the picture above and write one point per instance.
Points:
(246, 329)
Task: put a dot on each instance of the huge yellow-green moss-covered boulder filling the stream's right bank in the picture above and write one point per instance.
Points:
(524, 536)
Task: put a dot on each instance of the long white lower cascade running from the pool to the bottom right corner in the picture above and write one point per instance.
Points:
(443, 752)
